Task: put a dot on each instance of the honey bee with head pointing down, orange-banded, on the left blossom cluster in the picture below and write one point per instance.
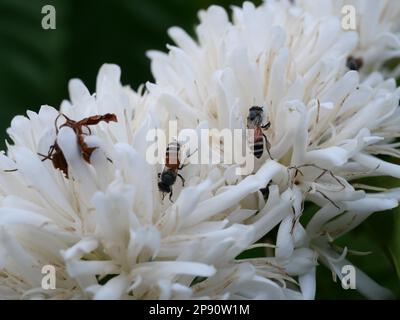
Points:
(170, 172)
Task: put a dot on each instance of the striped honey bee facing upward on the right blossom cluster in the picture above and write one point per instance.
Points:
(254, 121)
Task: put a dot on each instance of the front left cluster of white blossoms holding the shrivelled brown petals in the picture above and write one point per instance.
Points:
(106, 229)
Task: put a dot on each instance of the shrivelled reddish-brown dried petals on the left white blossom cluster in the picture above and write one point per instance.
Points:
(55, 153)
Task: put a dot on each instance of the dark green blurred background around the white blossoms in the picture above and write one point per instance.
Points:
(36, 64)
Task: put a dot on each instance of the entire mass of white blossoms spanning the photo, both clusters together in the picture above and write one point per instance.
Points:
(108, 231)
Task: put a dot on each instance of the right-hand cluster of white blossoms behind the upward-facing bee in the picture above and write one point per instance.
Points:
(324, 120)
